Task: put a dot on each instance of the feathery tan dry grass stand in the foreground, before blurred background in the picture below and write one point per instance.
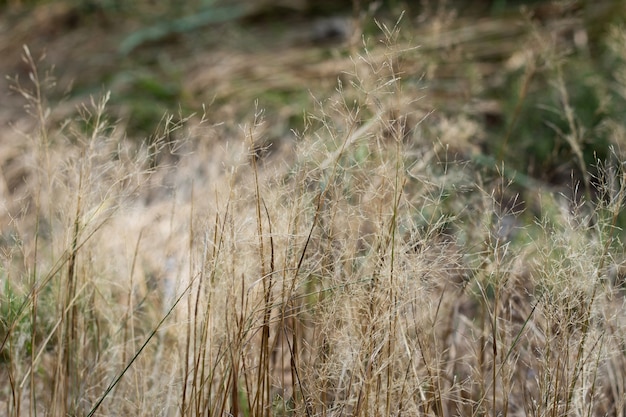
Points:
(371, 269)
